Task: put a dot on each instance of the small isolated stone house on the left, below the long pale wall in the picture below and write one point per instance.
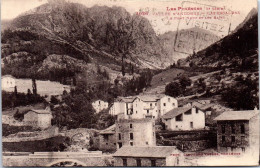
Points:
(38, 118)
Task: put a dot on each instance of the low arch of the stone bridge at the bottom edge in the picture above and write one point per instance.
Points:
(66, 163)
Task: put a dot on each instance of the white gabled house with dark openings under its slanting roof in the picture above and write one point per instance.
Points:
(184, 118)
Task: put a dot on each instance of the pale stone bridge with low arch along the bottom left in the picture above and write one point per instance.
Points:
(56, 159)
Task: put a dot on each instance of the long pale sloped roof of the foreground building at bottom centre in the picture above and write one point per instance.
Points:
(155, 151)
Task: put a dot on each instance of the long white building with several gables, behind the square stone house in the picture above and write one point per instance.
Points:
(144, 106)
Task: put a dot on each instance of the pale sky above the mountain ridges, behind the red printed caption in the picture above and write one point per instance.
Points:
(12, 8)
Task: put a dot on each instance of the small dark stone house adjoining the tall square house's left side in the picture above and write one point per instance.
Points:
(107, 139)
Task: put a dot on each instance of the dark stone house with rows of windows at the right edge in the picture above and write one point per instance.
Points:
(238, 131)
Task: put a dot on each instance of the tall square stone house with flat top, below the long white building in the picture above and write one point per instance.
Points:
(135, 132)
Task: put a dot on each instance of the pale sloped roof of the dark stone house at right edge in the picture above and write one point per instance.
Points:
(237, 115)
